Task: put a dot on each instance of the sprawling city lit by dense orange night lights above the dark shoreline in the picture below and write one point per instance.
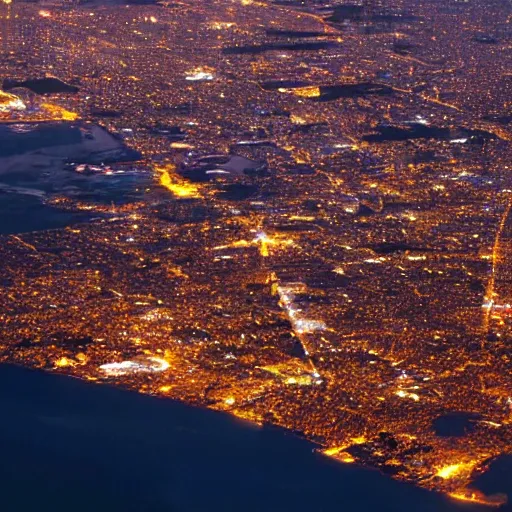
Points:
(346, 276)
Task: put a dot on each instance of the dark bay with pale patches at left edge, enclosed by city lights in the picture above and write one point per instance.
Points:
(30, 175)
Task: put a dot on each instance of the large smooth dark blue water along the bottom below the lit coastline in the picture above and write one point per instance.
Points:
(68, 445)
